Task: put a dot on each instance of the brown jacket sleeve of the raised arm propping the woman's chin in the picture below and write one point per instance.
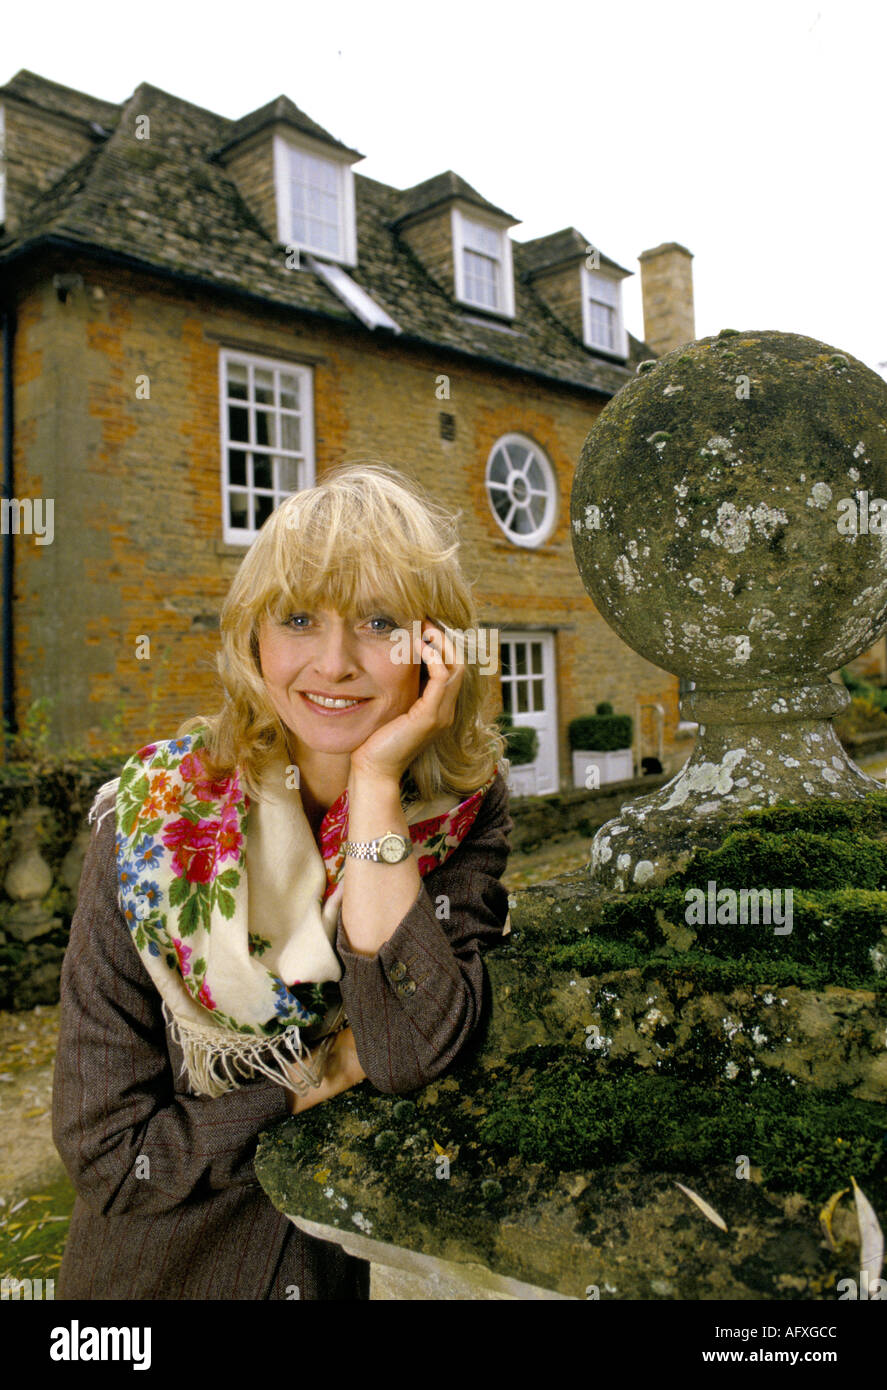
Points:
(415, 1004)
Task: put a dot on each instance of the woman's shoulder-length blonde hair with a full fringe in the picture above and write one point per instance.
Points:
(364, 533)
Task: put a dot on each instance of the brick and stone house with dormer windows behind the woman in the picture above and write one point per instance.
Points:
(202, 315)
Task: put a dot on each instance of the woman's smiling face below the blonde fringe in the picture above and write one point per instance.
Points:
(323, 654)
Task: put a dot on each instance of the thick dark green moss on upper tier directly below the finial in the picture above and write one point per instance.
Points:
(832, 856)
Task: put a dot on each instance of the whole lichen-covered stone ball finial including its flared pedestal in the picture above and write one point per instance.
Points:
(726, 525)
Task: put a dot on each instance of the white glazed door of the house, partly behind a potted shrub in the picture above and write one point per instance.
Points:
(529, 696)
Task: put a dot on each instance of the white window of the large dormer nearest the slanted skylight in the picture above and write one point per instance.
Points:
(316, 201)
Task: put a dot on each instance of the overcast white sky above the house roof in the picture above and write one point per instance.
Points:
(754, 133)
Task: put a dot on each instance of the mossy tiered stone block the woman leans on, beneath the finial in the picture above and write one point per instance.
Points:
(628, 1053)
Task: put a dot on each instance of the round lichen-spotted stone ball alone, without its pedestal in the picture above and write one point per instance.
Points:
(718, 479)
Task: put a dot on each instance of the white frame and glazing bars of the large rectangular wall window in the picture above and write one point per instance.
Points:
(245, 536)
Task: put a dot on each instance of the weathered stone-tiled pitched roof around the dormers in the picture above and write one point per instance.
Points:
(169, 206)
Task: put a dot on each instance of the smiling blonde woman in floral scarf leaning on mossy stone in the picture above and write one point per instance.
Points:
(284, 900)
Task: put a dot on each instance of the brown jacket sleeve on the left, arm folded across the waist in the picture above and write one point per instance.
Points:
(115, 1095)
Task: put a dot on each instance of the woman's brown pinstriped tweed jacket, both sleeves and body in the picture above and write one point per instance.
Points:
(198, 1225)
